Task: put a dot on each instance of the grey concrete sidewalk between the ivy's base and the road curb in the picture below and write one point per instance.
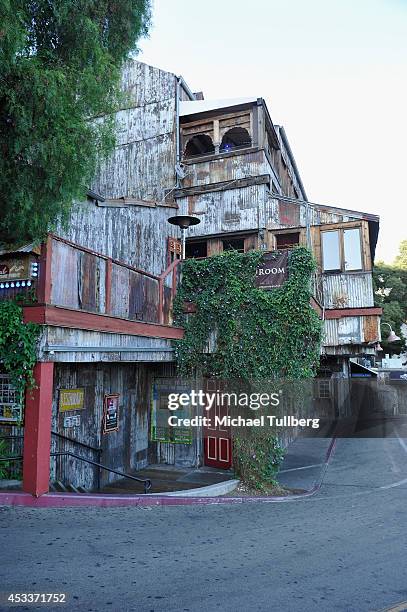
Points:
(304, 463)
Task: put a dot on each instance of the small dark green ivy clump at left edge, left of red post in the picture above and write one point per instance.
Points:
(18, 346)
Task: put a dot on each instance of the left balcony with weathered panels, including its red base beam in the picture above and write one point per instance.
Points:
(80, 288)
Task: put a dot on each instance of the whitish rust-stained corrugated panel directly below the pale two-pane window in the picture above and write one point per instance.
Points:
(348, 290)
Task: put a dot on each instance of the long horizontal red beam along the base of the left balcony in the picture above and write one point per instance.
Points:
(77, 319)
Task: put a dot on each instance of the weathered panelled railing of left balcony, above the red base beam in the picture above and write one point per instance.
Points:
(74, 277)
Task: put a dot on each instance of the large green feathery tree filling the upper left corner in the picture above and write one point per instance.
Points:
(60, 66)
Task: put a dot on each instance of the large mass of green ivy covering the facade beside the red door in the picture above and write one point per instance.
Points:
(259, 335)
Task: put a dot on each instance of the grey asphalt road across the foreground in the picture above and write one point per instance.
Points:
(343, 549)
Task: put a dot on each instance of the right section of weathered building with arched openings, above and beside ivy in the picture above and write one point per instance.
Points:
(243, 183)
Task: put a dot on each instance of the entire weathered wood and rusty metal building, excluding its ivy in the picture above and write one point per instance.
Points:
(106, 283)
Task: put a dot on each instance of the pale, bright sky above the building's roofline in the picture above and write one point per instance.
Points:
(333, 72)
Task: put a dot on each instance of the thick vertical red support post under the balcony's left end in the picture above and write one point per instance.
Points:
(37, 431)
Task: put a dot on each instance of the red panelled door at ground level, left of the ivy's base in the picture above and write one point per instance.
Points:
(217, 438)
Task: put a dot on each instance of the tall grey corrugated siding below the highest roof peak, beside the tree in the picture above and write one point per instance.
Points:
(143, 163)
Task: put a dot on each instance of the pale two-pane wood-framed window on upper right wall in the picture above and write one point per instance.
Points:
(341, 250)
